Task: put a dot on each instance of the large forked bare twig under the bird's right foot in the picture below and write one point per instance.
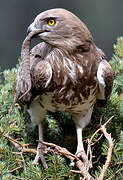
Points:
(81, 166)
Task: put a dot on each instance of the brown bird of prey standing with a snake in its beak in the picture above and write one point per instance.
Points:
(65, 72)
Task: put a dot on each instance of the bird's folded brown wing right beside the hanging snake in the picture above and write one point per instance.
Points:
(41, 71)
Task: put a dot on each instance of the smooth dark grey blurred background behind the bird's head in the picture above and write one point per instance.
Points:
(103, 18)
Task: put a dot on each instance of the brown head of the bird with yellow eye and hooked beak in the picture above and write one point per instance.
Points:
(60, 28)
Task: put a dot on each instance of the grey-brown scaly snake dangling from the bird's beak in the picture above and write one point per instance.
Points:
(23, 81)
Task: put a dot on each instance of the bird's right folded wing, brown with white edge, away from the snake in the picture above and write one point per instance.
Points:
(105, 76)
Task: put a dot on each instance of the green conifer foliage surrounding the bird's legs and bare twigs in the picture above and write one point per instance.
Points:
(59, 128)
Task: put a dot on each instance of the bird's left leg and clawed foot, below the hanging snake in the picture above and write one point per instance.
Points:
(40, 154)
